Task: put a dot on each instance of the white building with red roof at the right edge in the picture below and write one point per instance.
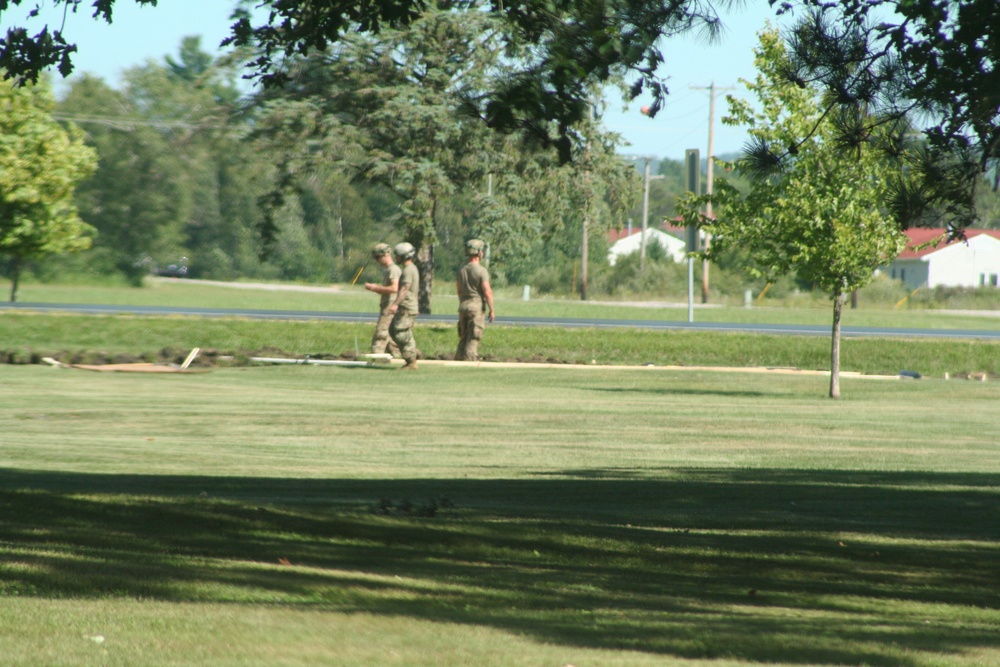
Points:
(974, 262)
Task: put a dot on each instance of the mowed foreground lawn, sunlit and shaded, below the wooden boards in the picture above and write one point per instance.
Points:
(496, 516)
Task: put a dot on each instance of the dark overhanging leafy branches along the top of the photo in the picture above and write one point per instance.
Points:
(880, 59)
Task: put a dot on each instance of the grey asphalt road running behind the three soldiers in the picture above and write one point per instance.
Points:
(782, 329)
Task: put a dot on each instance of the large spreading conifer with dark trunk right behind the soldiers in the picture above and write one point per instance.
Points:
(383, 110)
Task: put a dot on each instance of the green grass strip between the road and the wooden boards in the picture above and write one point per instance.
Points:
(26, 338)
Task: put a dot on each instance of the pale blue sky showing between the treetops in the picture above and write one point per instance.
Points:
(139, 34)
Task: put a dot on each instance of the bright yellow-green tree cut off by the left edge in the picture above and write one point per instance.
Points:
(41, 163)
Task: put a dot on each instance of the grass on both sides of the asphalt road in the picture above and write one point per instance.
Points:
(27, 337)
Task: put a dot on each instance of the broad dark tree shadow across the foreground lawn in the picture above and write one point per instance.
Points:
(765, 565)
